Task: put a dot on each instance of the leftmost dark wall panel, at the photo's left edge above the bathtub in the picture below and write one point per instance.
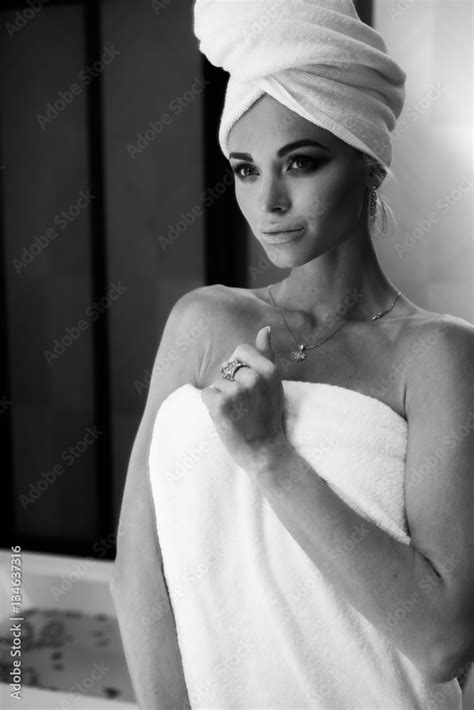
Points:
(47, 276)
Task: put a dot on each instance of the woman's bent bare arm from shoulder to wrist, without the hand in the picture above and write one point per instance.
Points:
(432, 579)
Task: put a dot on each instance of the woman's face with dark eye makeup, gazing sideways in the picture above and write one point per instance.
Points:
(311, 195)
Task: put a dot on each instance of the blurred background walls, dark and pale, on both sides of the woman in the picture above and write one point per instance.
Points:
(115, 200)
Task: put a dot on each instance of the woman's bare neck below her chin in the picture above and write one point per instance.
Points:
(347, 281)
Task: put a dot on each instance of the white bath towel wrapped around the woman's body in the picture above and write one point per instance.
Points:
(259, 626)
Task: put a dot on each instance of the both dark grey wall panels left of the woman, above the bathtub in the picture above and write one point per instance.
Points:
(152, 155)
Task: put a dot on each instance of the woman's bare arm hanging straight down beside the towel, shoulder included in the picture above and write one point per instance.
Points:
(138, 587)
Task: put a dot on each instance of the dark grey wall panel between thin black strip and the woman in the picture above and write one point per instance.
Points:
(157, 76)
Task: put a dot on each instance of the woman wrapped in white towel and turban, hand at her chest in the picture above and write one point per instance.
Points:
(390, 565)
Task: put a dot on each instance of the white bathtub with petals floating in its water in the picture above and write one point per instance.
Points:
(76, 591)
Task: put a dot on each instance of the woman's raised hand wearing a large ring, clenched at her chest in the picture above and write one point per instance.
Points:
(248, 412)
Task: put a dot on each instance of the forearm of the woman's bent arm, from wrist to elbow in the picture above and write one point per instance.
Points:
(389, 582)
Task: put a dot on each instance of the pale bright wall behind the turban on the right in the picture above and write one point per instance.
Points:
(430, 256)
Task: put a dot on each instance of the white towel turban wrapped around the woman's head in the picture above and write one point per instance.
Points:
(316, 57)
